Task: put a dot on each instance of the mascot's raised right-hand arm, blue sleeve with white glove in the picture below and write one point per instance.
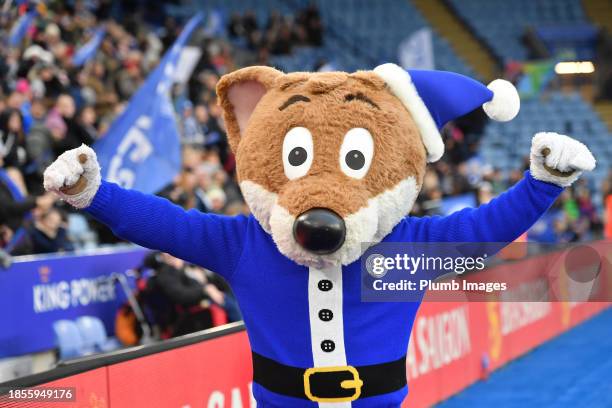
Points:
(556, 162)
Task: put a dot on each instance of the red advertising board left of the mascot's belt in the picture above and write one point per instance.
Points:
(215, 373)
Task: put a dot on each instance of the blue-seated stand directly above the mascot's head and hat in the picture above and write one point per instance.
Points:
(359, 34)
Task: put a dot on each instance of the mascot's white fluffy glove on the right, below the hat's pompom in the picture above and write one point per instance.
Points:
(559, 159)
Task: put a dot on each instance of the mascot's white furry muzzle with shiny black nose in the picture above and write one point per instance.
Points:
(319, 237)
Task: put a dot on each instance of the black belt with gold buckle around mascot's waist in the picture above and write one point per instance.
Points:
(329, 384)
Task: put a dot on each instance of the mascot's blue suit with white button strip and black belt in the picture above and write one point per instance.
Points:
(300, 318)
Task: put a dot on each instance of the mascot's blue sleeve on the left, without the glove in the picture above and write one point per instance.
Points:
(212, 241)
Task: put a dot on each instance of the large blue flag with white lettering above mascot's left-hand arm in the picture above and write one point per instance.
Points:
(141, 149)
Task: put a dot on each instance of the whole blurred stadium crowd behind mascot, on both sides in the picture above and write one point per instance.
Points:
(49, 105)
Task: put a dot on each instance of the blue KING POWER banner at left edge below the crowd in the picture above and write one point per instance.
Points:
(38, 290)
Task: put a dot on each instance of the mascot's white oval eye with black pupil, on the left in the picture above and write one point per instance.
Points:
(297, 152)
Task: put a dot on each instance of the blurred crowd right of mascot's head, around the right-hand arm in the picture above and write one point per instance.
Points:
(573, 217)
